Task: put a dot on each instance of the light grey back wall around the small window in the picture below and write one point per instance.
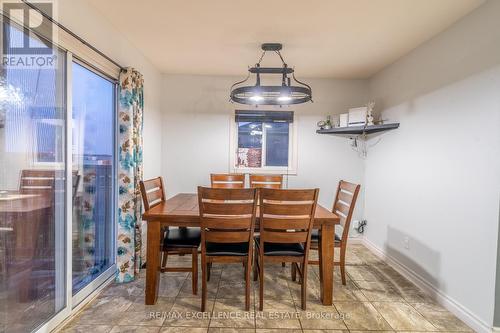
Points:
(196, 126)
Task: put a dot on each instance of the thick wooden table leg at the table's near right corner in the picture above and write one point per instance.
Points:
(326, 263)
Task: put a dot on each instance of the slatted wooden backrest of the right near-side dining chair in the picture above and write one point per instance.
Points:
(287, 216)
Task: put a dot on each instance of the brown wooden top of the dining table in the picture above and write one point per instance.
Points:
(182, 210)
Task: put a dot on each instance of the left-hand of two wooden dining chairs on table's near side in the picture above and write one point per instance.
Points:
(227, 226)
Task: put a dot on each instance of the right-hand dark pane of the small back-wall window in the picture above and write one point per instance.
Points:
(277, 144)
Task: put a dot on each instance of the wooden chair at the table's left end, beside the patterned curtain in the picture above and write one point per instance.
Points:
(175, 241)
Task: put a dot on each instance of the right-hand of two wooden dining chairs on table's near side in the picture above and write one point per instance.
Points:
(286, 220)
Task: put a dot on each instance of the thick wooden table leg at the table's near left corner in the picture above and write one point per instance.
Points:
(152, 262)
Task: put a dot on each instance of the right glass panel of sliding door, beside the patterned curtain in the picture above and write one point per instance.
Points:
(93, 161)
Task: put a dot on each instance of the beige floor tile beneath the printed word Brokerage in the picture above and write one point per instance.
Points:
(320, 317)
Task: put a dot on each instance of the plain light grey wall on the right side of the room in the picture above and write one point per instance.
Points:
(436, 179)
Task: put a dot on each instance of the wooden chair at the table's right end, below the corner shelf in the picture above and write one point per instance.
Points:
(343, 206)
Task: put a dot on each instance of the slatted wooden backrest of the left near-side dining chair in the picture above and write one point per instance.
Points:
(227, 215)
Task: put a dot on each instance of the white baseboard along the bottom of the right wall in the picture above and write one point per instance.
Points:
(439, 296)
